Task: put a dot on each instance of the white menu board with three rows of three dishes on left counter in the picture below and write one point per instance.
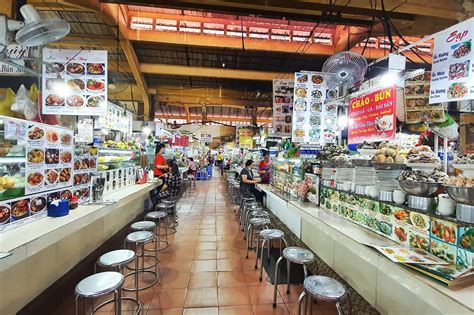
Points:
(49, 158)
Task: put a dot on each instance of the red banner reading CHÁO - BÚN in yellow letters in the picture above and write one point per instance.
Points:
(372, 116)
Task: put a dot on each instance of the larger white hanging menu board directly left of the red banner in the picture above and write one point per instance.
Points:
(314, 118)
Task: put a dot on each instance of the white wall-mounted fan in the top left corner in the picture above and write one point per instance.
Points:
(35, 31)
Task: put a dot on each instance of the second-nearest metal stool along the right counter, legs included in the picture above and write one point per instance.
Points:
(295, 255)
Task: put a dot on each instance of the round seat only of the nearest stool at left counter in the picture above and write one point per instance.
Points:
(100, 284)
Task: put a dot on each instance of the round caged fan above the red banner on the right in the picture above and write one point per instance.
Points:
(345, 69)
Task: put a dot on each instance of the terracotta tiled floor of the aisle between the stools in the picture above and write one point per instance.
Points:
(204, 271)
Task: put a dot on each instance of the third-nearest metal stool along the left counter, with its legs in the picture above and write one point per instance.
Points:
(139, 239)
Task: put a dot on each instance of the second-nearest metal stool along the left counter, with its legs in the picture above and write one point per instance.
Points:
(117, 259)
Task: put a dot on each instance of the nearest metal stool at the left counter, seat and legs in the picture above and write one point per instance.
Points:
(98, 285)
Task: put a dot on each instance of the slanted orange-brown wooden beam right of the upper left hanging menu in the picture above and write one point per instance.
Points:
(118, 15)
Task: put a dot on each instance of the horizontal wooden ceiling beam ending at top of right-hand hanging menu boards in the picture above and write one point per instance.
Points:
(164, 69)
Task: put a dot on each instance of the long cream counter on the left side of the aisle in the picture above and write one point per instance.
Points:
(55, 245)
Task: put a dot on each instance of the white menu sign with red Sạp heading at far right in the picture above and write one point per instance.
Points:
(453, 62)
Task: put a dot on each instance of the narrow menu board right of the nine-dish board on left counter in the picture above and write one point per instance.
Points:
(85, 166)
